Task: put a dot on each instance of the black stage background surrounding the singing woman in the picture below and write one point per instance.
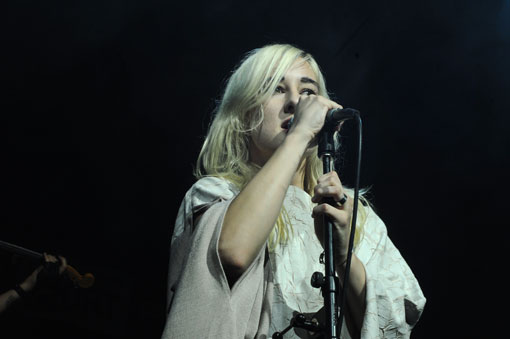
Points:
(105, 103)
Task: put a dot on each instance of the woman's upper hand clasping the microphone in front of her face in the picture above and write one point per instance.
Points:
(310, 114)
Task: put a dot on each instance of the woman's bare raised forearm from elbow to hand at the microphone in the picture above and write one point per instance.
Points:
(253, 213)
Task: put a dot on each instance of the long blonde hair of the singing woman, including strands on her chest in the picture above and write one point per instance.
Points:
(225, 152)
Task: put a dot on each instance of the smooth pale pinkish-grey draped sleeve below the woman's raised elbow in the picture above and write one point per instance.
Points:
(201, 303)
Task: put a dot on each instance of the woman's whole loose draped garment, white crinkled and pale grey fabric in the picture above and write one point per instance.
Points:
(267, 296)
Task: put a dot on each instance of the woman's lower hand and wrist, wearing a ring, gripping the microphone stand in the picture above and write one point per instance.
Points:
(330, 187)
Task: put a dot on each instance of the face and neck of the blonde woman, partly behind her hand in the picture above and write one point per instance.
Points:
(298, 81)
